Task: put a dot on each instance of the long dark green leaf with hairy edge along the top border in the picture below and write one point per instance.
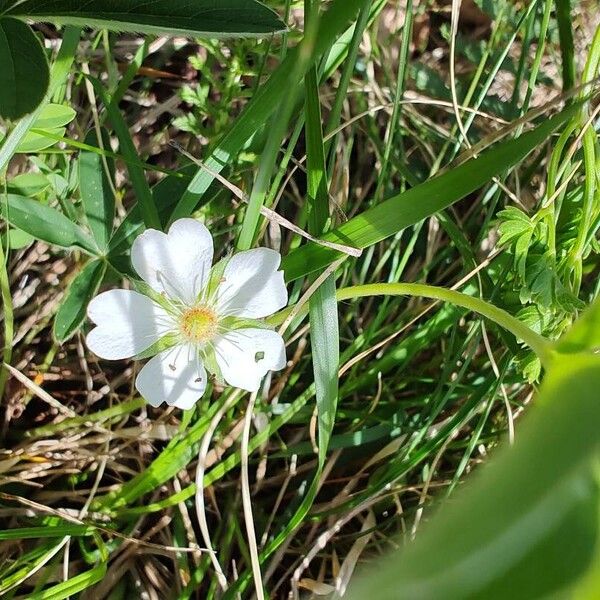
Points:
(210, 18)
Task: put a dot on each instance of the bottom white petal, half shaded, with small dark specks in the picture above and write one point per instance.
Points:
(175, 376)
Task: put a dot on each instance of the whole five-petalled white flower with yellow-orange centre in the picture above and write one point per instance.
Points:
(194, 318)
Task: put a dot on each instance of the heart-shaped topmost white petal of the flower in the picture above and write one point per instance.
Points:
(177, 263)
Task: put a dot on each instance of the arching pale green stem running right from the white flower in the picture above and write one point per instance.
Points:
(539, 344)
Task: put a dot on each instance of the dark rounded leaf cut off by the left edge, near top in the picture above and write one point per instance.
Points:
(25, 74)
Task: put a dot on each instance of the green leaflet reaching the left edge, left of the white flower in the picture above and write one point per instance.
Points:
(44, 223)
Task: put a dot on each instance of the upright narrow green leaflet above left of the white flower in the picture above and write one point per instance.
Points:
(97, 194)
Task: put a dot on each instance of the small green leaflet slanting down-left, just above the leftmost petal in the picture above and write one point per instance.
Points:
(72, 311)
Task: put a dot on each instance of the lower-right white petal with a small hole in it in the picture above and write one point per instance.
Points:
(239, 357)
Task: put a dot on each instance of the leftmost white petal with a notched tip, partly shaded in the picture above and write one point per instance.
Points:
(127, 323)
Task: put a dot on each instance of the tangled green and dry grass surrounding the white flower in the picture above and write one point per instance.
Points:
(397, 387)
